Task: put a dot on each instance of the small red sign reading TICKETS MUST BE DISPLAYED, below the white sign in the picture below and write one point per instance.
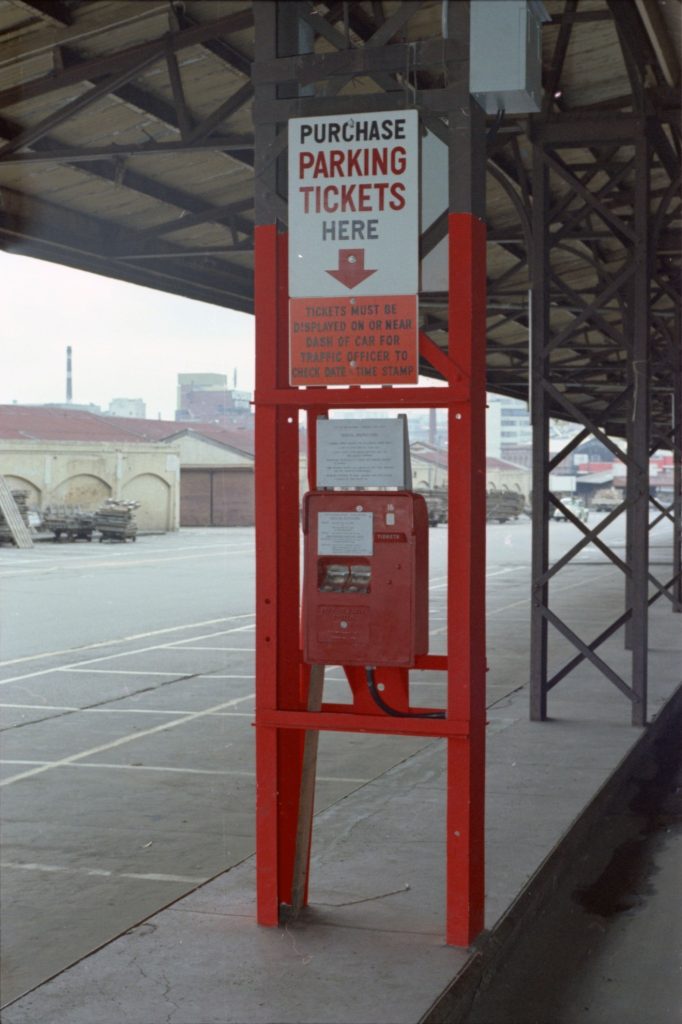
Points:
(356, 340)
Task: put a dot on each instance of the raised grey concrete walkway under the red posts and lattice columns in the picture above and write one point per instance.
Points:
(371, 949)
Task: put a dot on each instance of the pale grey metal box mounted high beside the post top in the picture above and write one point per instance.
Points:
(506, 55)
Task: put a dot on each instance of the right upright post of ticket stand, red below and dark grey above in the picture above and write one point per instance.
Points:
(466, 470)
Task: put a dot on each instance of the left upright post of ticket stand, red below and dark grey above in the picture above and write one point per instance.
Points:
(277, 520)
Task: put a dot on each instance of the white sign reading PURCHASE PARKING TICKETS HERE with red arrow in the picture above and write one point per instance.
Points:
(354, 205)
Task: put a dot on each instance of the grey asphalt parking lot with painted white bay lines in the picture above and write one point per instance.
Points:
(126, 695)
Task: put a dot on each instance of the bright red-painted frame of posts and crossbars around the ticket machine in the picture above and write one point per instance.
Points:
(282, 717)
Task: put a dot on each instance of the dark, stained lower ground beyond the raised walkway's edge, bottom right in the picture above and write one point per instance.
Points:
(607, 947)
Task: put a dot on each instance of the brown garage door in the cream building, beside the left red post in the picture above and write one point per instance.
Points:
(217, 498)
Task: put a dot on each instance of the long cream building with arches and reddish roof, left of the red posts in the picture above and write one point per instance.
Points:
(199, 475)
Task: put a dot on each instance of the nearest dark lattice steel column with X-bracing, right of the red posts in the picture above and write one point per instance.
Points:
(615, 307)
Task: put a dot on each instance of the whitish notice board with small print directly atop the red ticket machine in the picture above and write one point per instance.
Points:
(363, 453)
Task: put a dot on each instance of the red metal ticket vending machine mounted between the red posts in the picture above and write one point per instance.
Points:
(366, 578)
